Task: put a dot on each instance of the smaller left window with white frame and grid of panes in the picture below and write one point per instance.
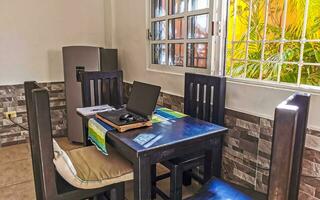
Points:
(180, 35)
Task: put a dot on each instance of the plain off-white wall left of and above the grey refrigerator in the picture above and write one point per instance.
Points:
(32, 33)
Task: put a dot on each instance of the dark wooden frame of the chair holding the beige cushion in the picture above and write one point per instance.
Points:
(49, 185)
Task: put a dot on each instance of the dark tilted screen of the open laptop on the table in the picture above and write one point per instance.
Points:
(143, 98)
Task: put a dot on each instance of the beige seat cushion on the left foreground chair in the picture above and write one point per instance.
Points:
(93, 169)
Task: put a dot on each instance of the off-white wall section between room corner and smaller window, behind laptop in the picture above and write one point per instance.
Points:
(129, 36)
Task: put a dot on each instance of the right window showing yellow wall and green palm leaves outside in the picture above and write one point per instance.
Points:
(274, 40)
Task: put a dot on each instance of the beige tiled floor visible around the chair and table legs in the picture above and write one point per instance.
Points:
(16, 178)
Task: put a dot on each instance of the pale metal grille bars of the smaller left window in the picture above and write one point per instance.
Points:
(186, 15)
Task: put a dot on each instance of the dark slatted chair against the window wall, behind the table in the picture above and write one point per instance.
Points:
(204, 98)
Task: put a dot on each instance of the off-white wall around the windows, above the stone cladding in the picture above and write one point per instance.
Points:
(129, 36)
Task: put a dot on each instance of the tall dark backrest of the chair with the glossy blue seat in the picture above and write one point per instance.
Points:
(289, 132)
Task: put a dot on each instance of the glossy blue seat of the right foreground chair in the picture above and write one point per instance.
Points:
(217, 189)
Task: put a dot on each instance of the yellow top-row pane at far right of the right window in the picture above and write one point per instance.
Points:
(313, 25)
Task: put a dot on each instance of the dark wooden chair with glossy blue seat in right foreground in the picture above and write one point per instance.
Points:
(290, 122)
